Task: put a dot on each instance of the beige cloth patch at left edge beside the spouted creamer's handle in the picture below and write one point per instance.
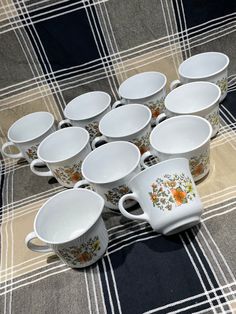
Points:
(17, 259)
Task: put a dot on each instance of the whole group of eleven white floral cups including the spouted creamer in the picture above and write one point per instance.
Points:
(174, 129)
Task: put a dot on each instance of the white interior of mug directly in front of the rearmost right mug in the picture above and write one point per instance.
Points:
(192, 97)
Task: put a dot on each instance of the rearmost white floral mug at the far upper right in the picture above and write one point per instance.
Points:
(206, 66)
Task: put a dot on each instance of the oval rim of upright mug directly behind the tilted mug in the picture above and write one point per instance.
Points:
(181, 117)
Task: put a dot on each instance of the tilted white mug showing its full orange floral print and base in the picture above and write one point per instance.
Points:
(167, 195)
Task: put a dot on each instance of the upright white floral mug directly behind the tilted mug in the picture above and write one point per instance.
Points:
(185, 136)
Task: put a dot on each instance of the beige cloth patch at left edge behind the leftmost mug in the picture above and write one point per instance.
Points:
(19, 105)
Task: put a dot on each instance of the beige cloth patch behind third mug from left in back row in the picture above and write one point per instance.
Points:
(165, 60)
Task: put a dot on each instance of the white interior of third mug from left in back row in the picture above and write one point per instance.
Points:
(142, 85)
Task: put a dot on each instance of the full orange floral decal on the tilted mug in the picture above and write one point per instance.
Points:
(172, 191)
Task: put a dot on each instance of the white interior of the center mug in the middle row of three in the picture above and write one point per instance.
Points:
(125, 120)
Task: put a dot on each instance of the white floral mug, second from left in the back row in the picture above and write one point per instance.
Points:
(86, 111)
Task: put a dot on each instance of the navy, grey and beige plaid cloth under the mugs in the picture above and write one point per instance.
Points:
(52, 51)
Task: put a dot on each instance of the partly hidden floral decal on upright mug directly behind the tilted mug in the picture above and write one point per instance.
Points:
(199, 164)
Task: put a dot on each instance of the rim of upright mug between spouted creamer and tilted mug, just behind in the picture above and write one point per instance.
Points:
(119, 178)
